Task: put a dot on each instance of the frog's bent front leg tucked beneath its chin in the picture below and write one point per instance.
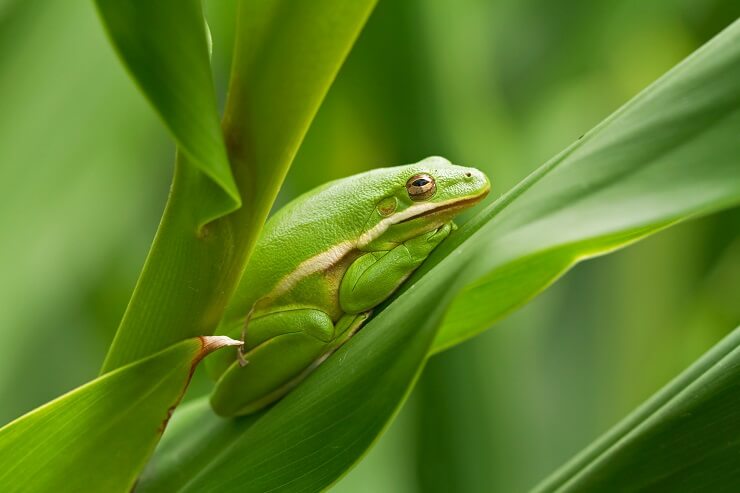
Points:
(374, 276)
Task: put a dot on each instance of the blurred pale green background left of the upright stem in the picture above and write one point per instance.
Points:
(82, 183)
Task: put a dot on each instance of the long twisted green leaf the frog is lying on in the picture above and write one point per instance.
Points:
(670, 154)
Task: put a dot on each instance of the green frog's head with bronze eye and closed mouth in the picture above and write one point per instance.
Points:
(419, 198)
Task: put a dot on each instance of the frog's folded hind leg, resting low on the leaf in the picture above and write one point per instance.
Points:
(281, 348)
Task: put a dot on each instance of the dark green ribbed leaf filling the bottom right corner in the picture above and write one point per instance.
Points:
(683, 439)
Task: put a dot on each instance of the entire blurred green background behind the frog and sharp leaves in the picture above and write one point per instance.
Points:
(498, 84)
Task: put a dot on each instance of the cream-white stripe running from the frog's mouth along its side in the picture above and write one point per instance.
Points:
(324, 260)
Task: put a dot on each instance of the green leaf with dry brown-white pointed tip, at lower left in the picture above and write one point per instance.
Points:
(98, 436)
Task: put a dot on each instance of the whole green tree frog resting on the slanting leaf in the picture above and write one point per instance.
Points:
(322, 263)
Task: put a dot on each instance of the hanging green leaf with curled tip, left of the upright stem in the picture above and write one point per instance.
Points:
(165, 46)
